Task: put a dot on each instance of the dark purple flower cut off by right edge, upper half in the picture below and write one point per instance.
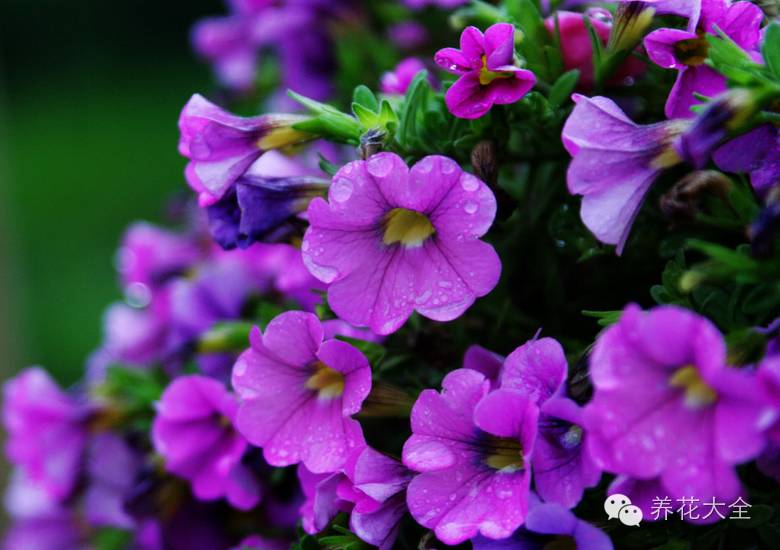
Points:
(757, 152)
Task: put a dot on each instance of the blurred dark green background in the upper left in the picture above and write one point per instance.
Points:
(90, 93)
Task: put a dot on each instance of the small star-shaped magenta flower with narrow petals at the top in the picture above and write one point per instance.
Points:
(488, 74)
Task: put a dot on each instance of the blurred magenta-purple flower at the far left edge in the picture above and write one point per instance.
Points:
(46, 431)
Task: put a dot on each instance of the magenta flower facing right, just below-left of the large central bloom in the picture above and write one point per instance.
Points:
(298, 393)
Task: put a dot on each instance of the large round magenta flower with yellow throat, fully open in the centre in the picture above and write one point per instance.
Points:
(391, 241)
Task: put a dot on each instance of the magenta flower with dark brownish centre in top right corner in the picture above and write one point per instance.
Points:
(686, 50)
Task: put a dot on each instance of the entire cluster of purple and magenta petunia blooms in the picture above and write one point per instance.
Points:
(234, 394)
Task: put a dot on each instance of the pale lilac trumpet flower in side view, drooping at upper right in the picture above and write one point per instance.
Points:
(614, 163)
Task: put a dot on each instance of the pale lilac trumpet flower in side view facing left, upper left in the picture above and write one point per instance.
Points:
(222, 146)
